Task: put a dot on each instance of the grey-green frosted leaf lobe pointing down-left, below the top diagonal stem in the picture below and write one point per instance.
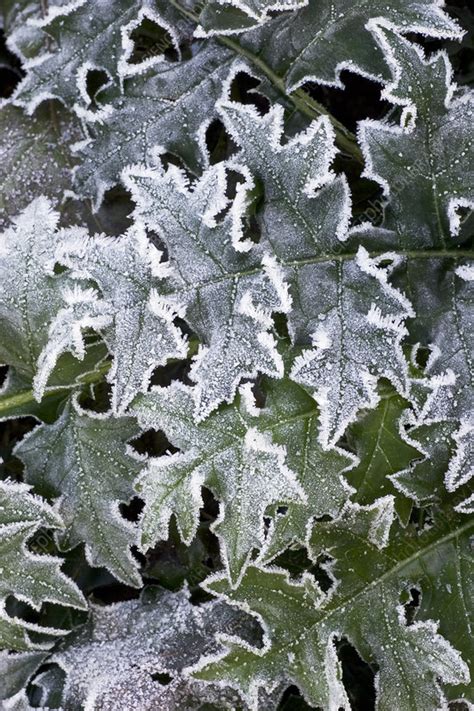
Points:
(169, 108)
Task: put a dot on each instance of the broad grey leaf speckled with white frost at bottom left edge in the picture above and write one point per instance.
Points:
(111, 662)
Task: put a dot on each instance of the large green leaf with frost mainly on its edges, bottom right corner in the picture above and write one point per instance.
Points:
(372, 574)
